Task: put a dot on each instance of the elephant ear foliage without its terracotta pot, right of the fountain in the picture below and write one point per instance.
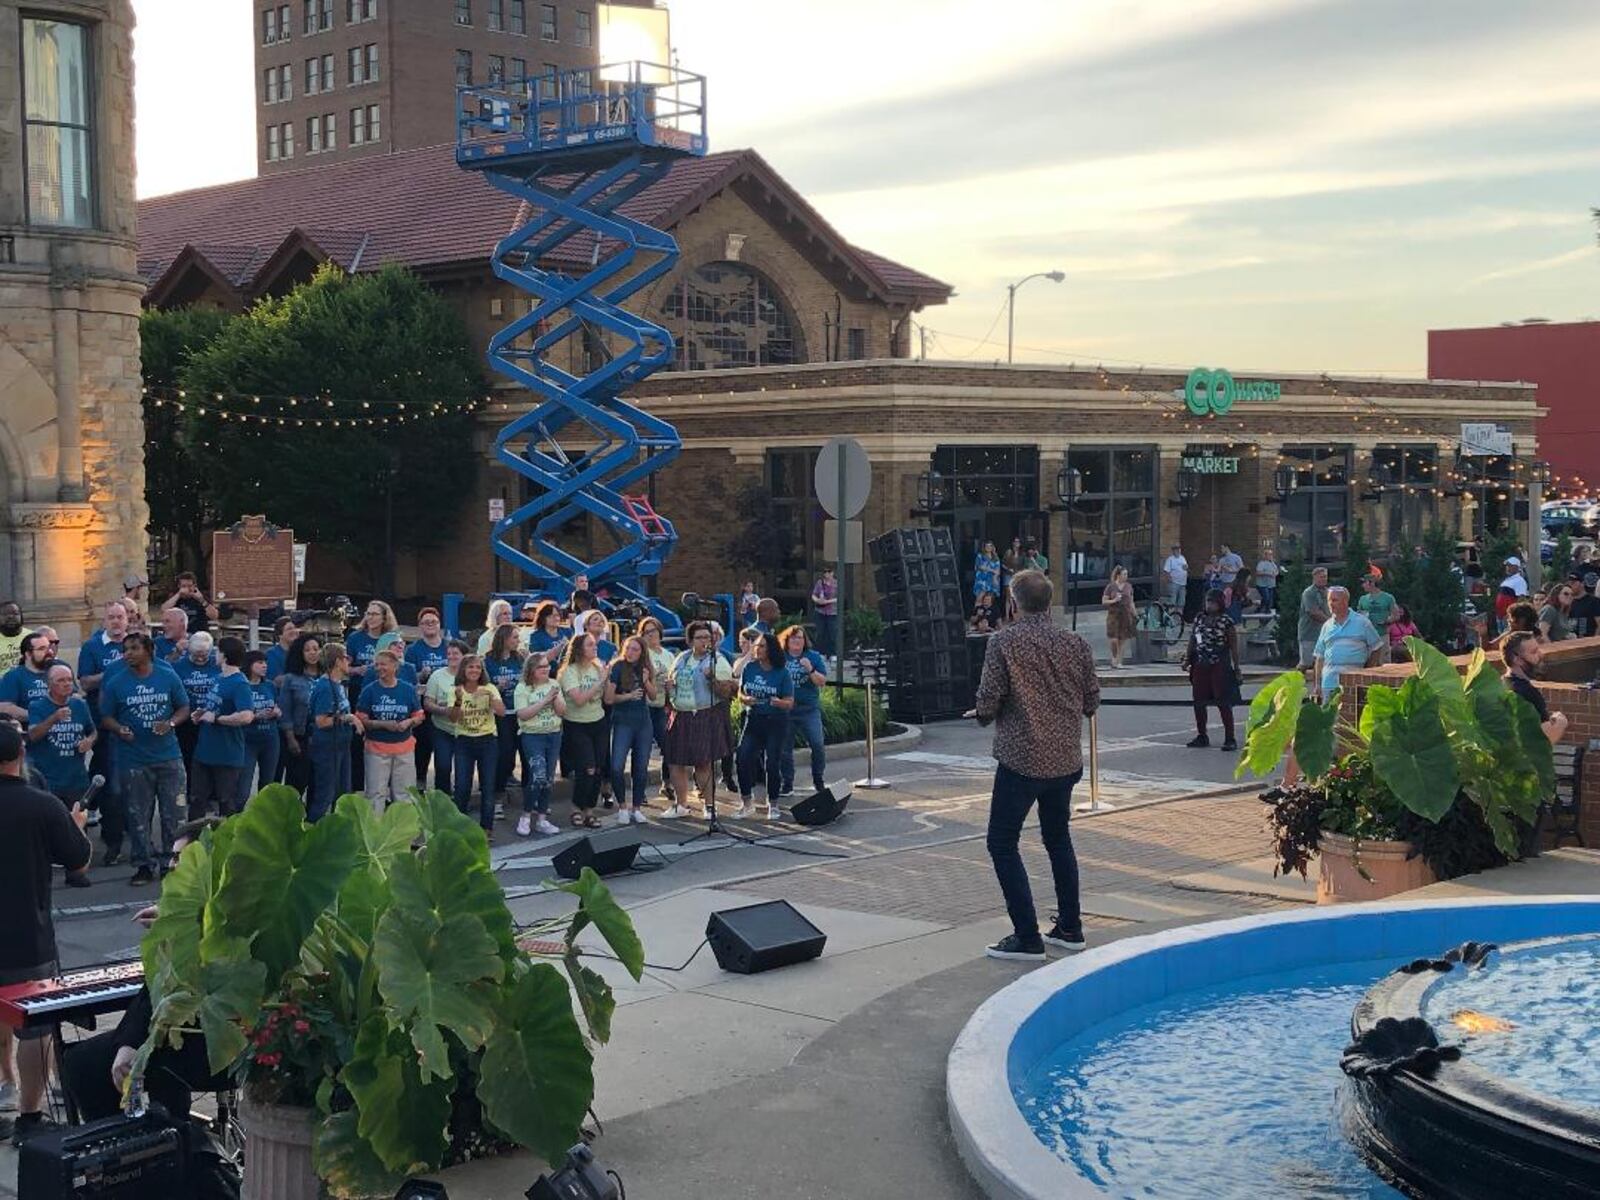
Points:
(1441, 740)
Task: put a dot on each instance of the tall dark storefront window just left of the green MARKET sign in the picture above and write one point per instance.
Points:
(1113, 524)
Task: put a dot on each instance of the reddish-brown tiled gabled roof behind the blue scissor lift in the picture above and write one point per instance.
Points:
(422, 210)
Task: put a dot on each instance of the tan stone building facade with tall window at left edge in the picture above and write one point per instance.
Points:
(73, 513)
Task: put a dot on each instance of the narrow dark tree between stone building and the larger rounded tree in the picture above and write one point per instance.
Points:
(174, 481)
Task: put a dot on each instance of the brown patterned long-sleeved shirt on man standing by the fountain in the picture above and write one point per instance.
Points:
(1039, 686)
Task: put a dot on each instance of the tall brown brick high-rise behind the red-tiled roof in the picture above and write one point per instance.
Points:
(353, 79)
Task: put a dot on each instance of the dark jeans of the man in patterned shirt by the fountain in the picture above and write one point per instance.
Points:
(1009, 807)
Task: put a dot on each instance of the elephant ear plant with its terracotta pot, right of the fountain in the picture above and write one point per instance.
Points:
(1449, 770)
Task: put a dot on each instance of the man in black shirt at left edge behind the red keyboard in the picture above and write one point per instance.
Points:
(36, 834)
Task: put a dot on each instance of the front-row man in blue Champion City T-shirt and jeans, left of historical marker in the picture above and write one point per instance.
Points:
(142, 706)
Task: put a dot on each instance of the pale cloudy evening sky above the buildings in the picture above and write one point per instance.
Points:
(1246, 185)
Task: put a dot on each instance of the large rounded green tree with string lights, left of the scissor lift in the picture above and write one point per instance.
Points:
(364, 350)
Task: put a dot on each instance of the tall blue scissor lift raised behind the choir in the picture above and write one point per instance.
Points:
(575, 146)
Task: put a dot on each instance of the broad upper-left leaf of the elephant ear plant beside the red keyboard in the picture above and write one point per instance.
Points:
(282, 874)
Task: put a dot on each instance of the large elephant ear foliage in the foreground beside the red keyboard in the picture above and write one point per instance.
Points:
(367, 967)
